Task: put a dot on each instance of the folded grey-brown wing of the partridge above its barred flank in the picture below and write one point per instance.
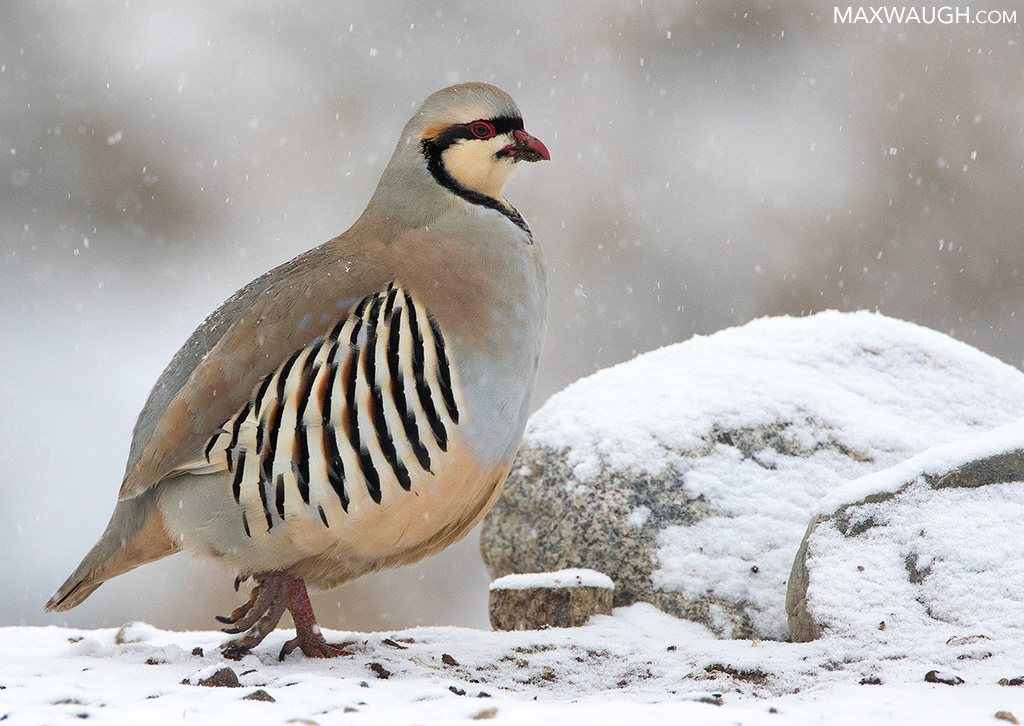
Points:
(265, 325)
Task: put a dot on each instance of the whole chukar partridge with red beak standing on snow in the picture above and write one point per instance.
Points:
(358, 408)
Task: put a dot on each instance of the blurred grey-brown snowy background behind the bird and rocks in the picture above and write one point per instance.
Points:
(713, 162)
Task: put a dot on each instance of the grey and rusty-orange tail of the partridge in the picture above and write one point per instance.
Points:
(135, 536)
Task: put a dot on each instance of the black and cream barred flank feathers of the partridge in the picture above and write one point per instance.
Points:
(370, 405)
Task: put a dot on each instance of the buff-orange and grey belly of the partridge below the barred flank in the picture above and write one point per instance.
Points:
(323, 543)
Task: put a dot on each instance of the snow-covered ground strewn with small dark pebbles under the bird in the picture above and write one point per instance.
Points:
(638, 666)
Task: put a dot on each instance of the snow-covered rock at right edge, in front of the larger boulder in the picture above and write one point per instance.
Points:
(933, 543)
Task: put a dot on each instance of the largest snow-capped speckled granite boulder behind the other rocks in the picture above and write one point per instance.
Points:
(690, 475)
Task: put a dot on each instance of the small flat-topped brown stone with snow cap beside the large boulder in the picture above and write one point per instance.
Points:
(566, 606)
